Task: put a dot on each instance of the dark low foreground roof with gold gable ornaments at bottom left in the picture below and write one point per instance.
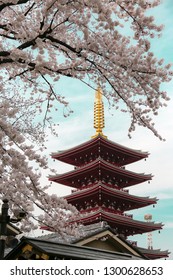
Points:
(32, 248)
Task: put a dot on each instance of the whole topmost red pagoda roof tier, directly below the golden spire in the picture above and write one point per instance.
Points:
(99, 146)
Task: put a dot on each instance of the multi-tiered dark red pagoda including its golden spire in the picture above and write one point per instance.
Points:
(100, 179)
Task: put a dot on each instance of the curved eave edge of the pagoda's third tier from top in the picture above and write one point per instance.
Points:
(113, 194)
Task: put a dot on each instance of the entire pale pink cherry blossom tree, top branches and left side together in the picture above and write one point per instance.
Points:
(105, 41)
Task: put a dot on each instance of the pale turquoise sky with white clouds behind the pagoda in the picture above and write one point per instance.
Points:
(78, 128)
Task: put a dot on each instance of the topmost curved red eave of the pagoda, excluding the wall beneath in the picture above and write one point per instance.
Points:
(69, 155)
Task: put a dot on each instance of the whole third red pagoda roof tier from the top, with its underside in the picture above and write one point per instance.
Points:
(101, 194)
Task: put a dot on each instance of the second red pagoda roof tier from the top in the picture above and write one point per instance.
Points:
(100, 170)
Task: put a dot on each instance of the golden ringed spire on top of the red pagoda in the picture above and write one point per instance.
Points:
(99, 122)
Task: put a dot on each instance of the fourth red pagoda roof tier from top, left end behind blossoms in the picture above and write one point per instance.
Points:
(123, 224)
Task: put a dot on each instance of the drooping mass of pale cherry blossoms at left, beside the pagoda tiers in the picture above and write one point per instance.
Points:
(21, 164)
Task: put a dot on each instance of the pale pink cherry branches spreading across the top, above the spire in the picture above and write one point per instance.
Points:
(88, 40)
